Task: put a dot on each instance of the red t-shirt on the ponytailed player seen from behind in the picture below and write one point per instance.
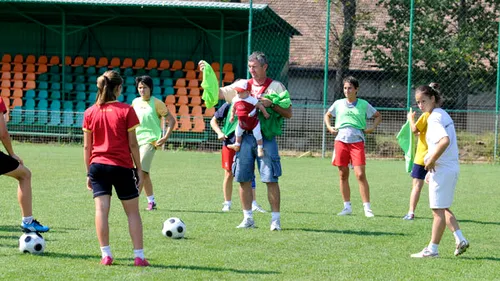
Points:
(110, 124)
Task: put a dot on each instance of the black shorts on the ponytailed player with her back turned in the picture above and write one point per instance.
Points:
(103, 177)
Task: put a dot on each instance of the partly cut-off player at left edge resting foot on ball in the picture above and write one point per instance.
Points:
(13, 166)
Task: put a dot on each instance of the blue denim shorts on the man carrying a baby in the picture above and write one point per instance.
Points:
(244, 160)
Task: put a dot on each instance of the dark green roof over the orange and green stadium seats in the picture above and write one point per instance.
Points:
(147, 13)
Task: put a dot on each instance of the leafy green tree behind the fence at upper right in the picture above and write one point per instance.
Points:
(454, 44)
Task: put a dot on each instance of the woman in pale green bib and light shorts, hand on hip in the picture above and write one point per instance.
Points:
(150, 111)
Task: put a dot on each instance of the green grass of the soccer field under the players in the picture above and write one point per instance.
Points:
(314, 244)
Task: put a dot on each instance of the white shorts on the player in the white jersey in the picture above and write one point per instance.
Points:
(442, 188)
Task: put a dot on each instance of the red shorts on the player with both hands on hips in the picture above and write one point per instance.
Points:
(345, 153)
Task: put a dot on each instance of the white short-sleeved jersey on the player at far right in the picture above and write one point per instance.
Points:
(440, 125)
